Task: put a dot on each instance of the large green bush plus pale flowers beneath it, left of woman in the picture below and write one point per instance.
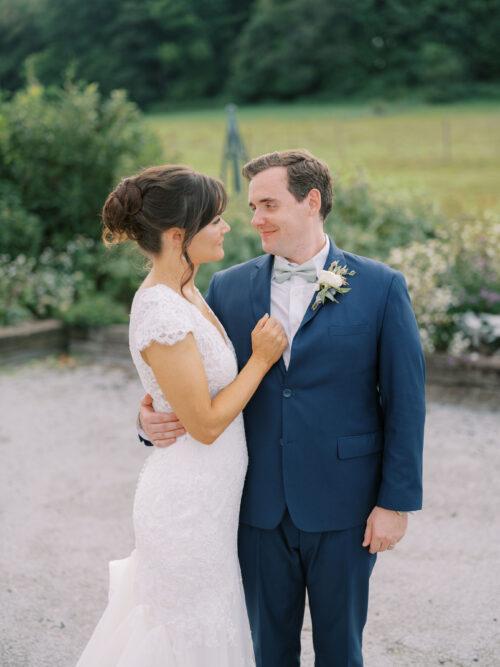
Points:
(61, 152)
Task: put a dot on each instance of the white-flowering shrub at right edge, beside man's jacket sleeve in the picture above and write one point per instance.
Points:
(455, 280)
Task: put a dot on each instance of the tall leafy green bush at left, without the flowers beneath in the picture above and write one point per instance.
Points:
(64, 150)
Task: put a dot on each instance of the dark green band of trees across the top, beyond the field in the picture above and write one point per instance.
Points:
(181, 51)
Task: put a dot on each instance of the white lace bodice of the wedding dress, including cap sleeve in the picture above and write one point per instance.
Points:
(160, 314)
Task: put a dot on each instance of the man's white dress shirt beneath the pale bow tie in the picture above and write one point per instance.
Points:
(290, 299)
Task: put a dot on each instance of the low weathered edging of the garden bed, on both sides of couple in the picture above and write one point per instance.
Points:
(35, 339)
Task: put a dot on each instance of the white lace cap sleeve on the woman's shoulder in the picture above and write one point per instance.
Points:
(163, 317)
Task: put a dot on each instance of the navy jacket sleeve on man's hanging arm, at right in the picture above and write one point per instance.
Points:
(401, 375)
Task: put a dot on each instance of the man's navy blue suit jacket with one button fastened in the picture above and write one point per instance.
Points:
(340, 430)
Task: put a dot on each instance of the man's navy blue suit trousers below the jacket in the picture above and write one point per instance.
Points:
(278, 566)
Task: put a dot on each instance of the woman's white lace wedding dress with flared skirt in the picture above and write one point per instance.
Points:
(178, 600)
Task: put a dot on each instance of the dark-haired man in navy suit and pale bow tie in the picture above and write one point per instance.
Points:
(335, 430)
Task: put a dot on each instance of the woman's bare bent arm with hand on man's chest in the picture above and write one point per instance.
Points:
(180, 373)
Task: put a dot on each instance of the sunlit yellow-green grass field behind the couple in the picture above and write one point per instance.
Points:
(449, 154)
